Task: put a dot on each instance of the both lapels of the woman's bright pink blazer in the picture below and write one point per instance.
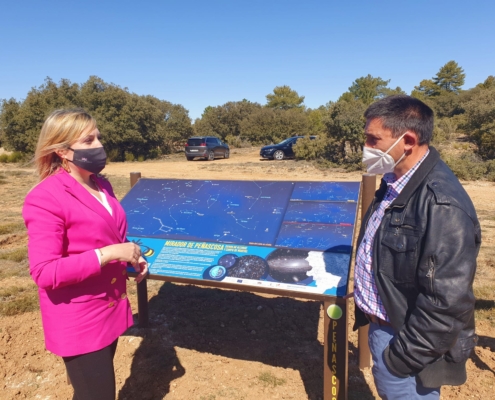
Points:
(88, 200)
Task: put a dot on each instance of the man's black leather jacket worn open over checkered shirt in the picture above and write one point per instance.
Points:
(424, 261)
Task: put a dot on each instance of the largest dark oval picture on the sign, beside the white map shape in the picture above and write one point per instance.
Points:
(288, 265)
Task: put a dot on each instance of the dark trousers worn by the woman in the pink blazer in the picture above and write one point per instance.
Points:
(92, 375)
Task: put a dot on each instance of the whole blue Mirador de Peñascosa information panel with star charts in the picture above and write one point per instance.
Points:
(289, 235)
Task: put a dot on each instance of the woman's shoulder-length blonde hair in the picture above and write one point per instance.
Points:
(61, 129)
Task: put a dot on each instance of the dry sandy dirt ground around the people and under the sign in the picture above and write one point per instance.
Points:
(203, 343)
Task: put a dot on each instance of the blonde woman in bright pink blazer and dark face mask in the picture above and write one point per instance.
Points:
(78, 252)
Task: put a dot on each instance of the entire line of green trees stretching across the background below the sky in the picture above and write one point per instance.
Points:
(140, 127)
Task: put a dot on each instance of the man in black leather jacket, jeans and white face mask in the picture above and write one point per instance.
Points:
(416, 257)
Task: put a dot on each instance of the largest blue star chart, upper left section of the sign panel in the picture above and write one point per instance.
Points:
(243, 212)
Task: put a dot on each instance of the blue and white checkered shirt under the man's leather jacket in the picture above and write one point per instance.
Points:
(365, 290)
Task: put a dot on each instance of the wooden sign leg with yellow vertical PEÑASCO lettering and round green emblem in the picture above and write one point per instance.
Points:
(335, 359)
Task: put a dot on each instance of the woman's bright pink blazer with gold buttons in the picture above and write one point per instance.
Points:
(83, 307)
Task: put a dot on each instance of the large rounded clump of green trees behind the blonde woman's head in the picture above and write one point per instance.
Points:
(133, 127)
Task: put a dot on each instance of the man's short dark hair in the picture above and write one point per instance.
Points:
(401, 113)
